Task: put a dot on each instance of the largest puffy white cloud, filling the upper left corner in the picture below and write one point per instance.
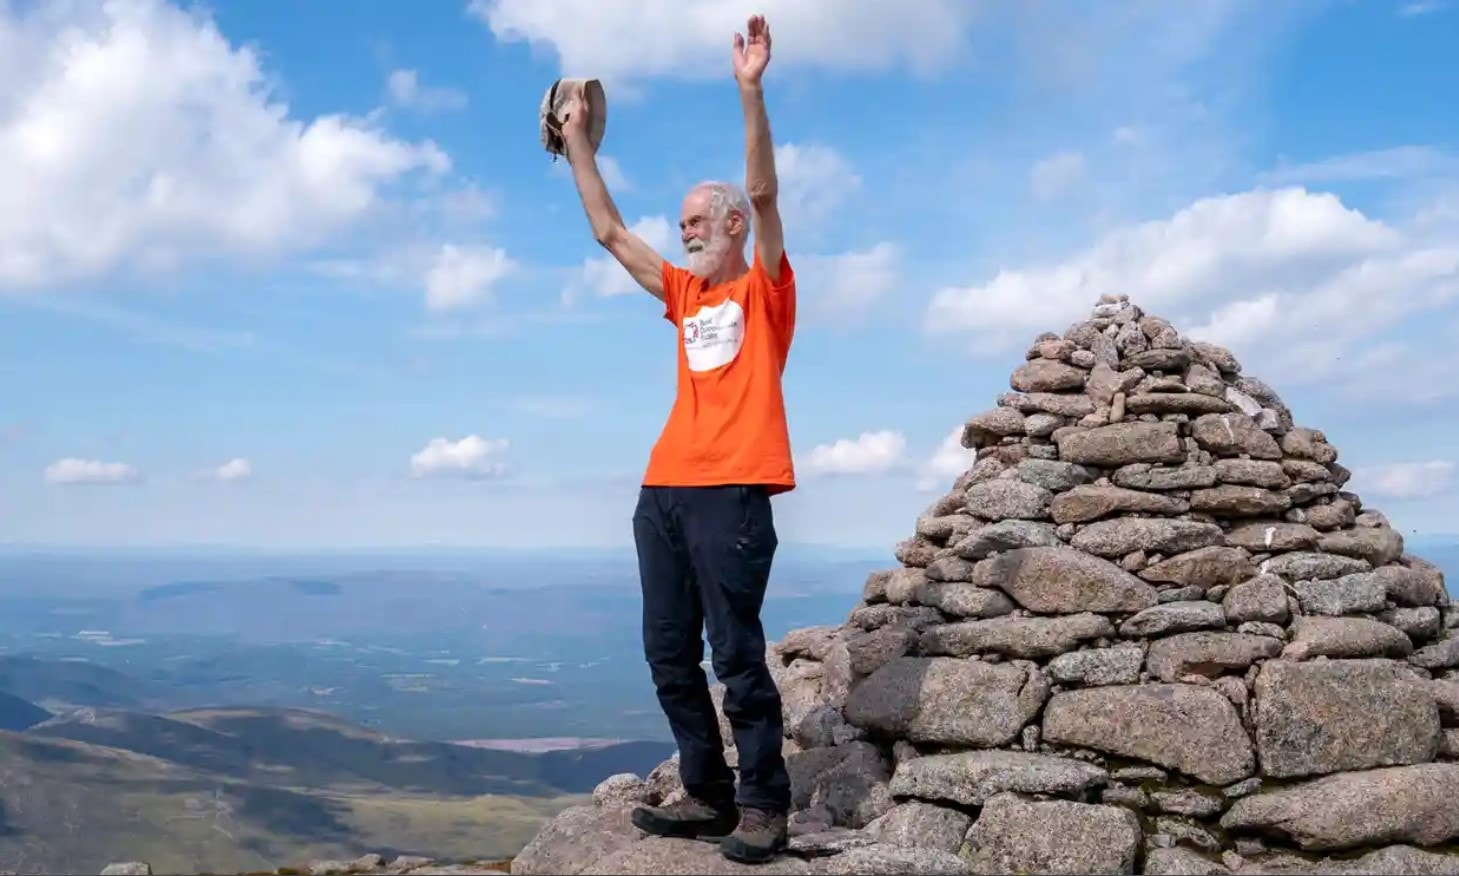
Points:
(135, 134)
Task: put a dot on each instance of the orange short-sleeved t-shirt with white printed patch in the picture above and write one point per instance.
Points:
(729, 418)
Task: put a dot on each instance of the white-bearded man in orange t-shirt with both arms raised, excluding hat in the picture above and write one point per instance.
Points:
(704, 528)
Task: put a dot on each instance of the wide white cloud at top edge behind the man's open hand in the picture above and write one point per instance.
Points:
(692, 39)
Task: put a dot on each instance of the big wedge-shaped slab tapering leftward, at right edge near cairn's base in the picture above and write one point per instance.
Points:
(1355, 810)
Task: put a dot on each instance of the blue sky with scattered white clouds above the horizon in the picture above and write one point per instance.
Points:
(304, 277)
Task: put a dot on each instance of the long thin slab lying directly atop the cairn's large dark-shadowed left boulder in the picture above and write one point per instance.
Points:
(1016, 637)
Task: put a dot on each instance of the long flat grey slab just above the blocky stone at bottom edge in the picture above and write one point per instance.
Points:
(975, 777)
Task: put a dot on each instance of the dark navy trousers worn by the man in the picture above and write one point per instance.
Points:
(705, 560)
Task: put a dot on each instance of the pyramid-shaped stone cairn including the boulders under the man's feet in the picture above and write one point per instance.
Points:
(1148, 633)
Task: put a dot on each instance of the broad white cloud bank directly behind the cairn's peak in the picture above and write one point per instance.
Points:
(1288, 278)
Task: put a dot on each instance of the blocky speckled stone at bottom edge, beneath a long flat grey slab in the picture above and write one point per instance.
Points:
(1016, 836)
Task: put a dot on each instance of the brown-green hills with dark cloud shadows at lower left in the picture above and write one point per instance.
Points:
(247, 789)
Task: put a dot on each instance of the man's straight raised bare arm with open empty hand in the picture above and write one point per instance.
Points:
(752, 55)
